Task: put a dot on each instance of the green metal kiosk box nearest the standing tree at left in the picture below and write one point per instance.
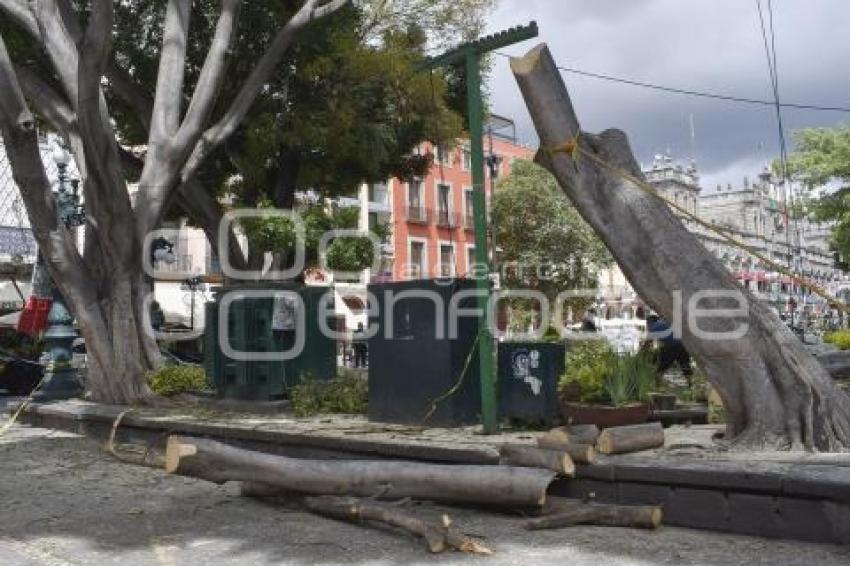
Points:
(252, 328)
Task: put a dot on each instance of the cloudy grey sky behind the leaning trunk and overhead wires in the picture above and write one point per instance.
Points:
(704, 45)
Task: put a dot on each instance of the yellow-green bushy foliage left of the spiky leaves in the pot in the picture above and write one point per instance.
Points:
(588, 364)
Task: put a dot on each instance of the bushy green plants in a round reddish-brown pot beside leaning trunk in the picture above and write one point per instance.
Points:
(602, 388)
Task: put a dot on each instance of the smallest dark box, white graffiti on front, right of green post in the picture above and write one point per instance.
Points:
(528, 381)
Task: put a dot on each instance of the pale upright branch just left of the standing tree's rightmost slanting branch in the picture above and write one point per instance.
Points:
(212, 74)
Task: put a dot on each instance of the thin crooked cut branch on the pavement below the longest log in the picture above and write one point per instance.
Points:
(438, 538)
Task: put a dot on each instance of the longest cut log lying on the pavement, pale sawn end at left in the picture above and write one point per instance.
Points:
(491, 485)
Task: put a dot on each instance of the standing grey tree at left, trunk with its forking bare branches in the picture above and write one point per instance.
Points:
(105, 286)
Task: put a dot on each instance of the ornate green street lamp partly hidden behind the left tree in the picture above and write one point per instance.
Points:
(61, 380)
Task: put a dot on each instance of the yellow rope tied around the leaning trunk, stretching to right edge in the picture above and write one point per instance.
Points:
(572, 148)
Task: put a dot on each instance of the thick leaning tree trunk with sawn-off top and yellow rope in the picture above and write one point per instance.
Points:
(775, 393)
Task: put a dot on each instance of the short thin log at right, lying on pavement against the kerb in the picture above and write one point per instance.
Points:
(567, 513)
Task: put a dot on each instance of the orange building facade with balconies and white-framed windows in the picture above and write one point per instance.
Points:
(432, 223)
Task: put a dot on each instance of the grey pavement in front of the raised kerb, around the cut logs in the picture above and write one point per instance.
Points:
(66, 503)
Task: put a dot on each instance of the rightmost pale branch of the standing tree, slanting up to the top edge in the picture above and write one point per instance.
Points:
(309, 12)
